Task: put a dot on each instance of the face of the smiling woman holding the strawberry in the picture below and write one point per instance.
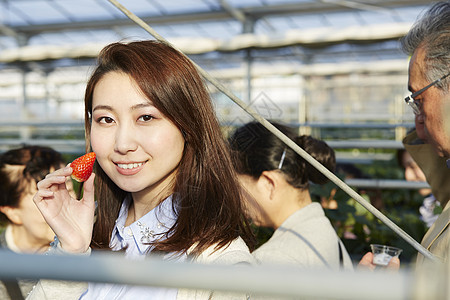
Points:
(136, 145)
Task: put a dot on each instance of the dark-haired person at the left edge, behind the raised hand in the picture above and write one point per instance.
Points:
(25, 230)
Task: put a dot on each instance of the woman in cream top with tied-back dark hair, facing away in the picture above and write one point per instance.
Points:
(277, 181)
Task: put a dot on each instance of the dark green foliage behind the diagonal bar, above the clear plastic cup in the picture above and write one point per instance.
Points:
(358, 228)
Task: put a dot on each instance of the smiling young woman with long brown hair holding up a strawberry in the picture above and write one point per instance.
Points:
(164, 181)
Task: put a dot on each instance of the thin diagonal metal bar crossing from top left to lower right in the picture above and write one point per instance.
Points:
(286, 140)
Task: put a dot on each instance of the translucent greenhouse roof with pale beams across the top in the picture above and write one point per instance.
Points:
(39, 30)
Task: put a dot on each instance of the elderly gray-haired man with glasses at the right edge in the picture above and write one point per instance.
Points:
(428, 43)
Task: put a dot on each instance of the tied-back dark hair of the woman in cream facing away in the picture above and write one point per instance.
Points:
(255, 149)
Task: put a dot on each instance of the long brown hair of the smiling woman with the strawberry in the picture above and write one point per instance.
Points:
(206, 194)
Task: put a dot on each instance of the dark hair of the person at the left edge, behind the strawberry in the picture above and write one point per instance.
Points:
(21, 167)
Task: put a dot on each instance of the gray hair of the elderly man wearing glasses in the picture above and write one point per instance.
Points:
(432, 33)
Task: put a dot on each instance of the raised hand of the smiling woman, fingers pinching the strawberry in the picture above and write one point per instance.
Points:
(72, 220)
